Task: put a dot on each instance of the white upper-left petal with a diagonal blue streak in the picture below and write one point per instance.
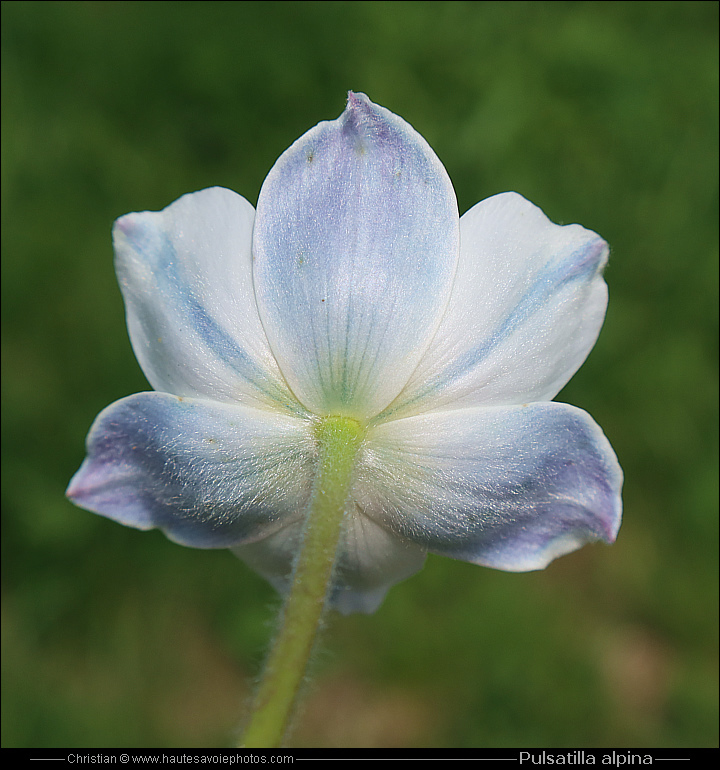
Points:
(186, 276)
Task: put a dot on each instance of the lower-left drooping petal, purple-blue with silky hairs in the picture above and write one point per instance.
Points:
(209, 475)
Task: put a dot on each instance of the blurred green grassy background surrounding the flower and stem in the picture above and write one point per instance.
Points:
(601, 113)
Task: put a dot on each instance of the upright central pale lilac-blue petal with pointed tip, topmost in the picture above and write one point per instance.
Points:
(355, 244)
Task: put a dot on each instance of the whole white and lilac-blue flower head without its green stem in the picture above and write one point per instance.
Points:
(356, 290)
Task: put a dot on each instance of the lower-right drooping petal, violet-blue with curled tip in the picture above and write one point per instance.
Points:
(507, 487)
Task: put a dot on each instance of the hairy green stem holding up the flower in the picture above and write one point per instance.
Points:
(339, 440)
